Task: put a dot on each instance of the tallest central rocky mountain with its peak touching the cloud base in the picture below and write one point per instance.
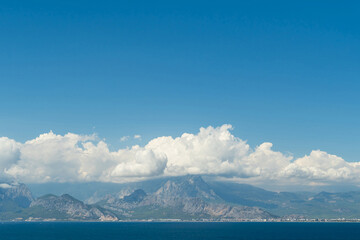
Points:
(182, 198)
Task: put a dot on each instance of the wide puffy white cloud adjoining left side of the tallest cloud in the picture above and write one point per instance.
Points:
(73, 157)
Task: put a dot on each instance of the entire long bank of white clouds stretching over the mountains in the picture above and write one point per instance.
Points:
(211, 151)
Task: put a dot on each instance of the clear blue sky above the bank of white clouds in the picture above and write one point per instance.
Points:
(281, 71)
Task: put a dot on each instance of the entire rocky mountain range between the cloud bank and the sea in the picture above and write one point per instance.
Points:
(176, 198)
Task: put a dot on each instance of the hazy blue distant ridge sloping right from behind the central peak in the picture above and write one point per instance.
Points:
(310, 205)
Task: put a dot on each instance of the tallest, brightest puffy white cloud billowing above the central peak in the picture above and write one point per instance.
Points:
(211, 151)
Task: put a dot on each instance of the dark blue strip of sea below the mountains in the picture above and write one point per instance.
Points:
(203, 231)
